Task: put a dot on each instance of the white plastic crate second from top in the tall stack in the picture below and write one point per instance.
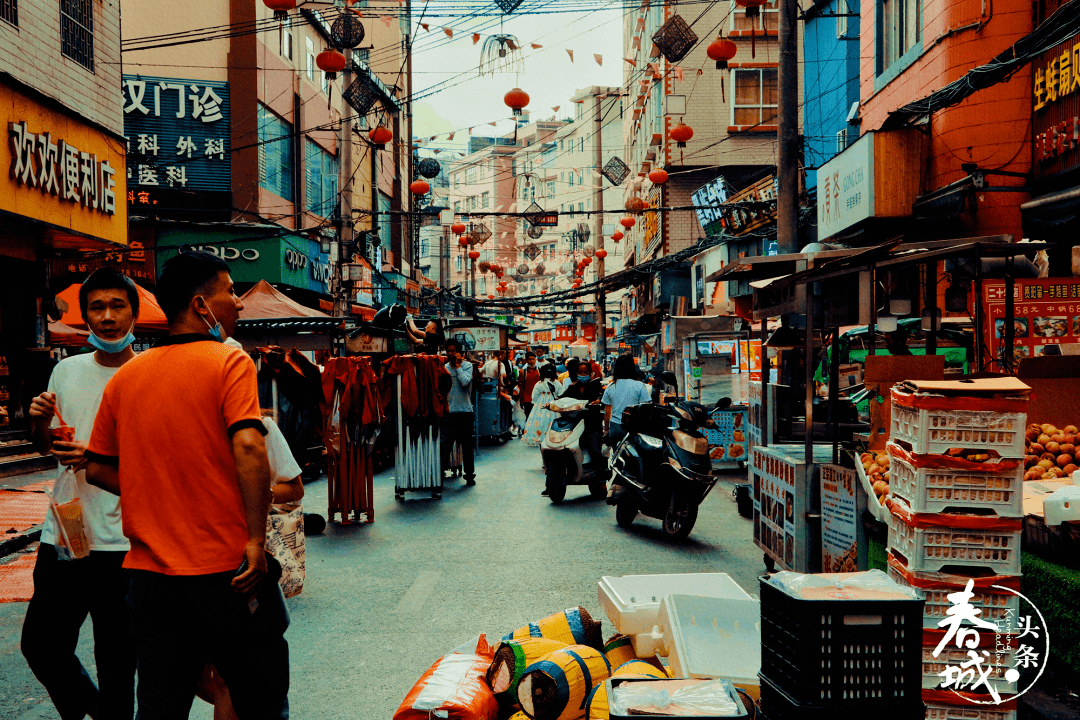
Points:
(946, 490)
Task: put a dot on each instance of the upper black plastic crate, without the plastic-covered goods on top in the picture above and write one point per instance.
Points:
(844, 651)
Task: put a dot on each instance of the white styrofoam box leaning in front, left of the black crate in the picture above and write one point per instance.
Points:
(712, 637)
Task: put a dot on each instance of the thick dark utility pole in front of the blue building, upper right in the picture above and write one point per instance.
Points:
(788, 162)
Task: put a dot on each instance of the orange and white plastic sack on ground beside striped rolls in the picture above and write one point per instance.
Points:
(454, 688)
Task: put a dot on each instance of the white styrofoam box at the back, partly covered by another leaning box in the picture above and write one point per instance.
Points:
(632, 603)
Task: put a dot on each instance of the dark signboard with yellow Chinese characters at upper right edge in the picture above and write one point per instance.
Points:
(1056, 105)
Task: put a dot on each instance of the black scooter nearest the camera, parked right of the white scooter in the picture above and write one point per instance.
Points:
(661, 468)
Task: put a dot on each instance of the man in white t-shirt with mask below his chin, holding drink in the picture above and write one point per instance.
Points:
(66, 591)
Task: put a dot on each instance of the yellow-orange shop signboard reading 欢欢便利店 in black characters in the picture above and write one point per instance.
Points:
(61, 172)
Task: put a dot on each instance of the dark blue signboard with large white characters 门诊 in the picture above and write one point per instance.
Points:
(178, 135)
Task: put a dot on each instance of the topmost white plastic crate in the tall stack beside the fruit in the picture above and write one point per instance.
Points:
(936, 432)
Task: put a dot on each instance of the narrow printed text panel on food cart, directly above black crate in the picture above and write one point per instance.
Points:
(843, 540)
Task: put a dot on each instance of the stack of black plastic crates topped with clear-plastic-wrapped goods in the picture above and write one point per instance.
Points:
(834, 653)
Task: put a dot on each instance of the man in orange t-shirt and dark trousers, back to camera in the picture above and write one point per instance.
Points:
(179, 437)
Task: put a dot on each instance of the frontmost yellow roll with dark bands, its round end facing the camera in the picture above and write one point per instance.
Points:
(557, 687)
